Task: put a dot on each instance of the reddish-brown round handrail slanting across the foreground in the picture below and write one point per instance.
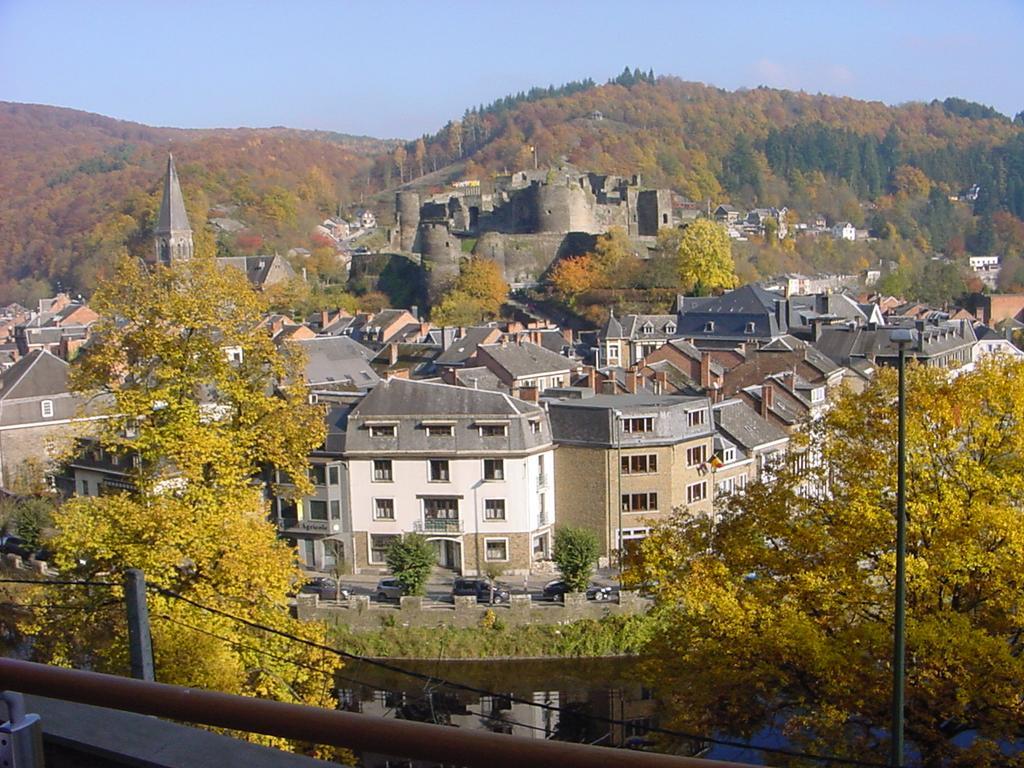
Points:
(365, 733)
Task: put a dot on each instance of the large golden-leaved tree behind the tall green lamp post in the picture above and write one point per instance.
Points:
(783, 610)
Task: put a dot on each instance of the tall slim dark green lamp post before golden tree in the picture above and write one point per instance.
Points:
(902, 337)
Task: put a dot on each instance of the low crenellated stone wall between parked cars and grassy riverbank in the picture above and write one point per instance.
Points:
(361, 615)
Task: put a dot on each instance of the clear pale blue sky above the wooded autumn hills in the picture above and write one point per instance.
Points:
(403, 69)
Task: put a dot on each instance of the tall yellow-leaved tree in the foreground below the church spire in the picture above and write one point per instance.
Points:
(196, 391)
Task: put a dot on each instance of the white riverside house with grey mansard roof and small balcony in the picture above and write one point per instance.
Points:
(473, 471)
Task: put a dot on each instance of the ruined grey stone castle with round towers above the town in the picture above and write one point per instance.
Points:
(532, 219)
